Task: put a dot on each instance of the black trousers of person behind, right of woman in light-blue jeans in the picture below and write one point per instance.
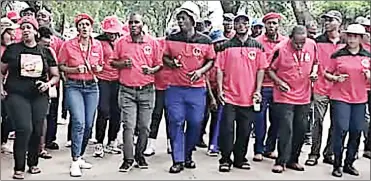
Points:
(108, 109)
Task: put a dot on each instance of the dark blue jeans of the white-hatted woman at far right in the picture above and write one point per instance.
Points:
(347, 118)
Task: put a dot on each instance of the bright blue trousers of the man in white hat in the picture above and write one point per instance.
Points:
(184, 104)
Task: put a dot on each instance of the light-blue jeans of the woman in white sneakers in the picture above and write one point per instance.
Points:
(82, 100)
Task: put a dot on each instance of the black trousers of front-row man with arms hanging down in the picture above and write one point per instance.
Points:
(244, 117)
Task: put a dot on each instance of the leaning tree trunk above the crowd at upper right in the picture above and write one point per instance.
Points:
(301, 12)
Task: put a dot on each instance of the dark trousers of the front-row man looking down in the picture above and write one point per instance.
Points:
(291, 132)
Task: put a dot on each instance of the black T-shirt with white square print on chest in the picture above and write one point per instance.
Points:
(26, 65)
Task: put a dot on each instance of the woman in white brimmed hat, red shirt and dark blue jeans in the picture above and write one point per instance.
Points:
(350, 72)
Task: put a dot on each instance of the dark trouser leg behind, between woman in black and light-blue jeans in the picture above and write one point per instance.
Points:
(52, 119)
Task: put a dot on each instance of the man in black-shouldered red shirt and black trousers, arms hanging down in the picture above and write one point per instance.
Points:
(241, 66)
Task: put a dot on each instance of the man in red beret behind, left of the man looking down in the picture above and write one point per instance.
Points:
(269, 40)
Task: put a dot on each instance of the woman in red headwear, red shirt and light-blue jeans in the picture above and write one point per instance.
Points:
(80, 59)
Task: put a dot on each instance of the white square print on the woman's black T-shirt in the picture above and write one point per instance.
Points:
(31, 65)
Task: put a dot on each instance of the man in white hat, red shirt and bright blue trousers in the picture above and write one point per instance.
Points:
(190, 54)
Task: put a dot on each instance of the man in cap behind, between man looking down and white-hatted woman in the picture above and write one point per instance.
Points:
(327, 44)
